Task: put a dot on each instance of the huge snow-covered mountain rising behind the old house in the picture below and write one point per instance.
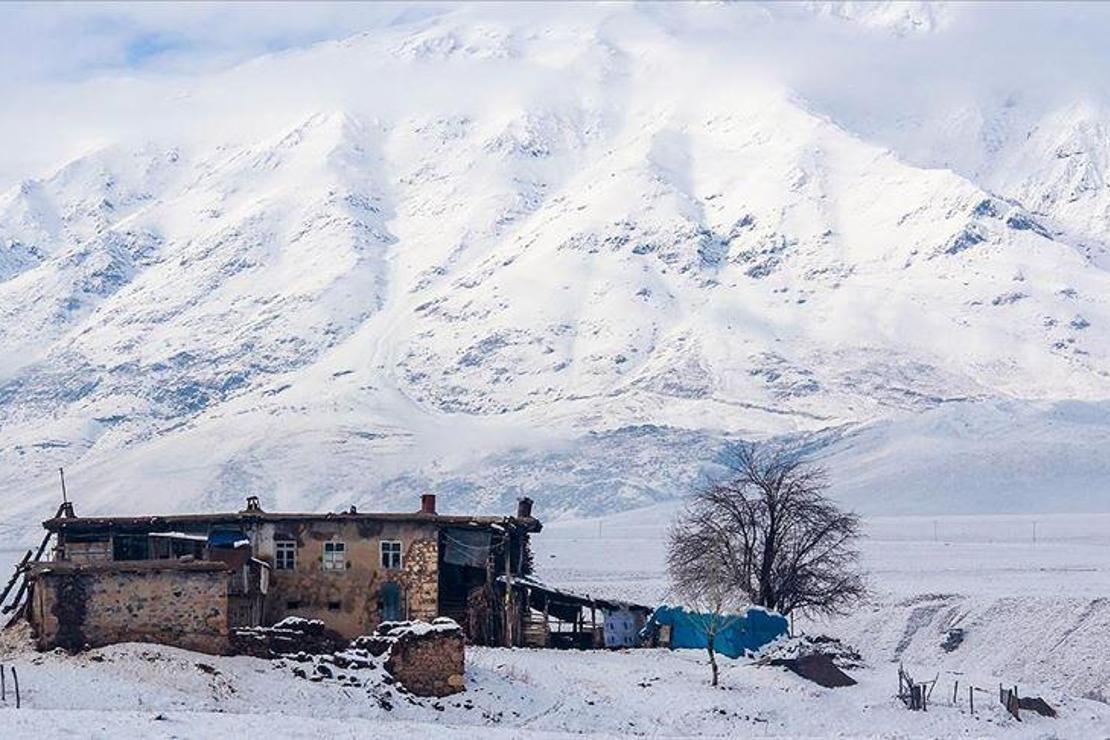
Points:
(571, 255)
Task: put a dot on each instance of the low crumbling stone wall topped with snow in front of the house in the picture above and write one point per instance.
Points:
(428, 660)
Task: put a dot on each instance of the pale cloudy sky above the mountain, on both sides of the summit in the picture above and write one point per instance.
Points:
(78, 76)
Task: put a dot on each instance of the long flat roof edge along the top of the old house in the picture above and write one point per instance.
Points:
(60, 524)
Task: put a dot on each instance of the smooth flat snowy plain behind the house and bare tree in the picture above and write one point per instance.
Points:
(991, 556)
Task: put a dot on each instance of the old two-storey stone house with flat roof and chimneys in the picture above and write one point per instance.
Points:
(189, 580)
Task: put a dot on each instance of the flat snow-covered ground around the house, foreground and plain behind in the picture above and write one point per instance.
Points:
(1034, 616)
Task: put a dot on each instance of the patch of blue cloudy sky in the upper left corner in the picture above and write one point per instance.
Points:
(88, 62)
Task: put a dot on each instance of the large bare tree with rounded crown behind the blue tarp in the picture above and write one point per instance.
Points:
(766, 533)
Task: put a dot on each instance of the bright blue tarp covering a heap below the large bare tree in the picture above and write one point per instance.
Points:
(735, 633)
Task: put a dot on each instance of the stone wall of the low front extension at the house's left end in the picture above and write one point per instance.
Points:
(166, 602)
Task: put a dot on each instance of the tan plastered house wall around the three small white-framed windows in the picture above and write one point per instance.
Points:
(349, 601)
